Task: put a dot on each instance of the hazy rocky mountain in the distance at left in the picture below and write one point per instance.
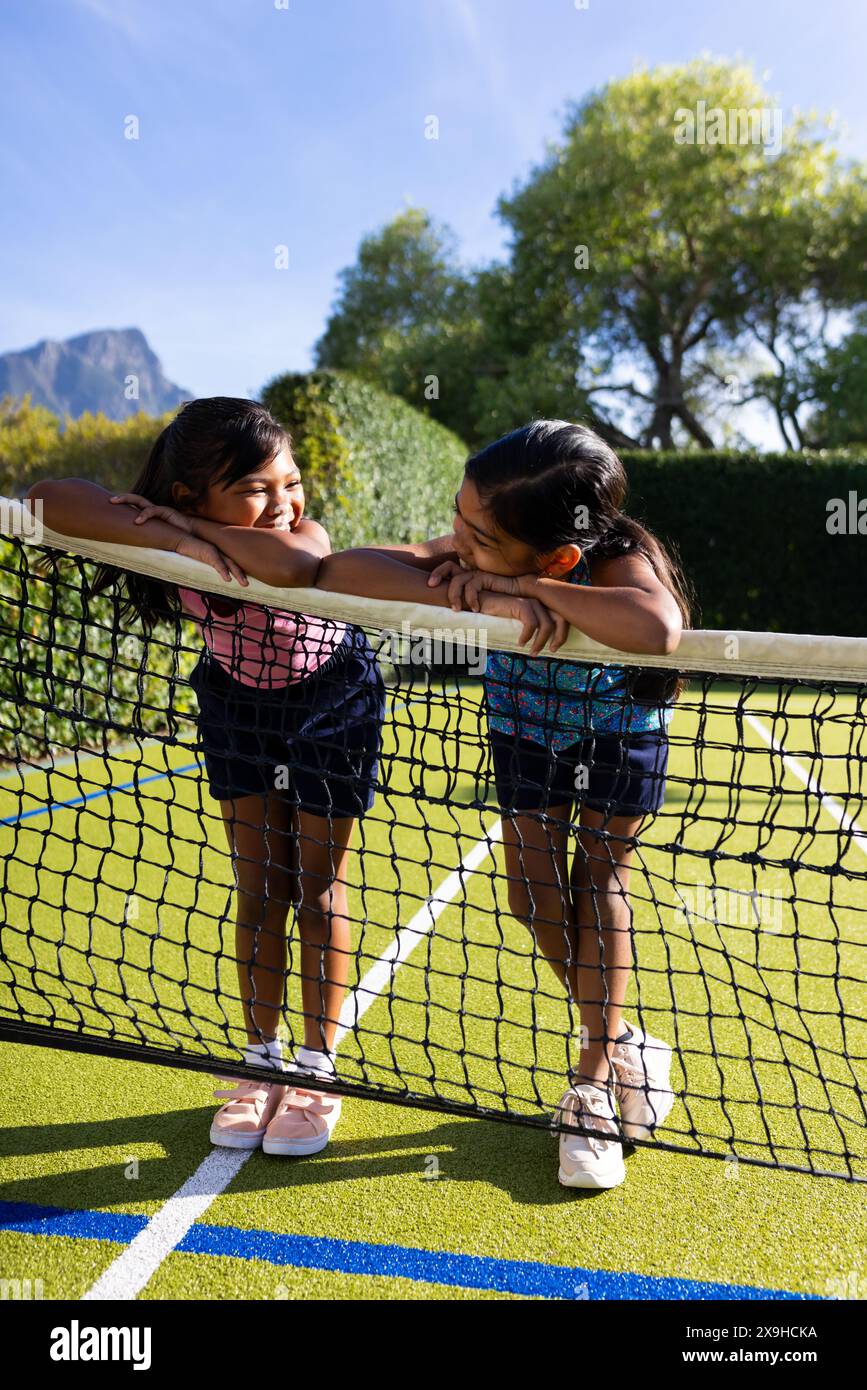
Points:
(113, 370)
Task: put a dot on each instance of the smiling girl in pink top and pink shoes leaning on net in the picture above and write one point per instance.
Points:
(290, 718)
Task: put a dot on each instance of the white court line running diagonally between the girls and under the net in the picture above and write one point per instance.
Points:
(138, 1263)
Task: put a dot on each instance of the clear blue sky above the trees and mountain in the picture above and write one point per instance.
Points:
(305, 127)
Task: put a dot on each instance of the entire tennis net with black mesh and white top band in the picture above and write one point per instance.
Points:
(747, 901)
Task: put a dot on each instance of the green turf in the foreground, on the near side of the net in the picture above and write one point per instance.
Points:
(497, 1193)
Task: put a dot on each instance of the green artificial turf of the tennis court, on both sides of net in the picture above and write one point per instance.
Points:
(119, 921)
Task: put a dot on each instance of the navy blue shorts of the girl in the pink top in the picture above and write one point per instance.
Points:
(324, 730)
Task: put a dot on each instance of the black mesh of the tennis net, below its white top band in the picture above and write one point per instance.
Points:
(176, 844)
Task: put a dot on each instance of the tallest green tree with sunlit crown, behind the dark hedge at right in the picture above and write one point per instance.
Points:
(691, 247)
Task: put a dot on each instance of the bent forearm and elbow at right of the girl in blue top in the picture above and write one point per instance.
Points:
(626, 607)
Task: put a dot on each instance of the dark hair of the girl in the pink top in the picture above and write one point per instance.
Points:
(213, 441)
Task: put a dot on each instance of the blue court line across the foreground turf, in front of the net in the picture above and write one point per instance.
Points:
(359, 1257)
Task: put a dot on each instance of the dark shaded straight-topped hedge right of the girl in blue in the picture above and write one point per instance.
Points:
(752, 536)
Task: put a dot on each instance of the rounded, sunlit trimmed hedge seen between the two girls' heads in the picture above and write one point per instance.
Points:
(374, 468)
